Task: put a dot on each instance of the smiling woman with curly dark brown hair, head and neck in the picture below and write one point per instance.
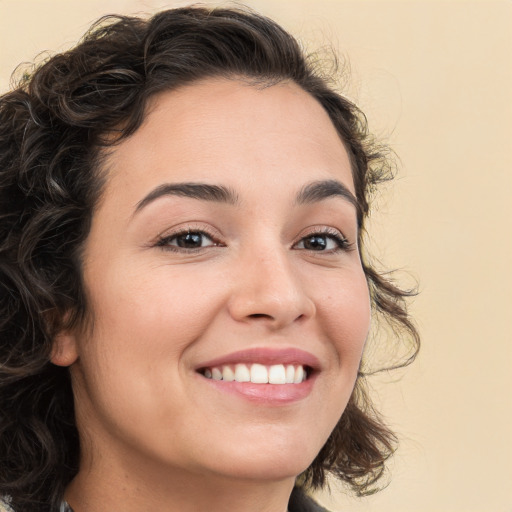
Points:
(185, 299)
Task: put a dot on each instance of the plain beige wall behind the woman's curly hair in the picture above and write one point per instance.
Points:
(435, 78)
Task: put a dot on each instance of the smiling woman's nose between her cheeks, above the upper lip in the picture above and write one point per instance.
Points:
(268, 289)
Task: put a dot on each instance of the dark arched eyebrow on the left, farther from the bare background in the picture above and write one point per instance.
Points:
(203, 191)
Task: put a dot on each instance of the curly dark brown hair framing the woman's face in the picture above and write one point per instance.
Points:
(55, 127)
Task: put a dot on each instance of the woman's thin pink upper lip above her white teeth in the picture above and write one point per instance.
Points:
(266, 356)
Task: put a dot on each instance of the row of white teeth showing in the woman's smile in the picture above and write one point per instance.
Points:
(258, 373)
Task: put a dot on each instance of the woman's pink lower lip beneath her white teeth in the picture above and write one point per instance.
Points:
(269, 394)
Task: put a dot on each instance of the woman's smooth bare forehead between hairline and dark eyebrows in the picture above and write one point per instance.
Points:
(234, 132)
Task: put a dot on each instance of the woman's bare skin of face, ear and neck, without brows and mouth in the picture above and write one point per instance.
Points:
(155, 434)
